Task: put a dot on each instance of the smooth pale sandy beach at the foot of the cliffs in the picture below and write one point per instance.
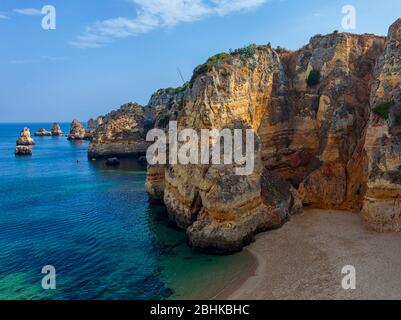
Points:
(304, 259)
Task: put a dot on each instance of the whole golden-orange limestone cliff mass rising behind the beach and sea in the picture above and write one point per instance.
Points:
(328, 123)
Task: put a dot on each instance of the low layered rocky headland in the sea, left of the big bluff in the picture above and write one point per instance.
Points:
(121, 133)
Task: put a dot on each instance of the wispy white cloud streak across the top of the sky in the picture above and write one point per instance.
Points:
(154, 14)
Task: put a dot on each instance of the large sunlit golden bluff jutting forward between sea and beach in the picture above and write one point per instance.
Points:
(221, 210)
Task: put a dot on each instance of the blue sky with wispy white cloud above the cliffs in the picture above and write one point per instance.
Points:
(108, 52)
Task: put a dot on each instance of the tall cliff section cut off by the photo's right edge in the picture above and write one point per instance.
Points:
(382, 202)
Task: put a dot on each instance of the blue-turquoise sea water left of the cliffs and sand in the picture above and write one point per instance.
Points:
(95, 226)
